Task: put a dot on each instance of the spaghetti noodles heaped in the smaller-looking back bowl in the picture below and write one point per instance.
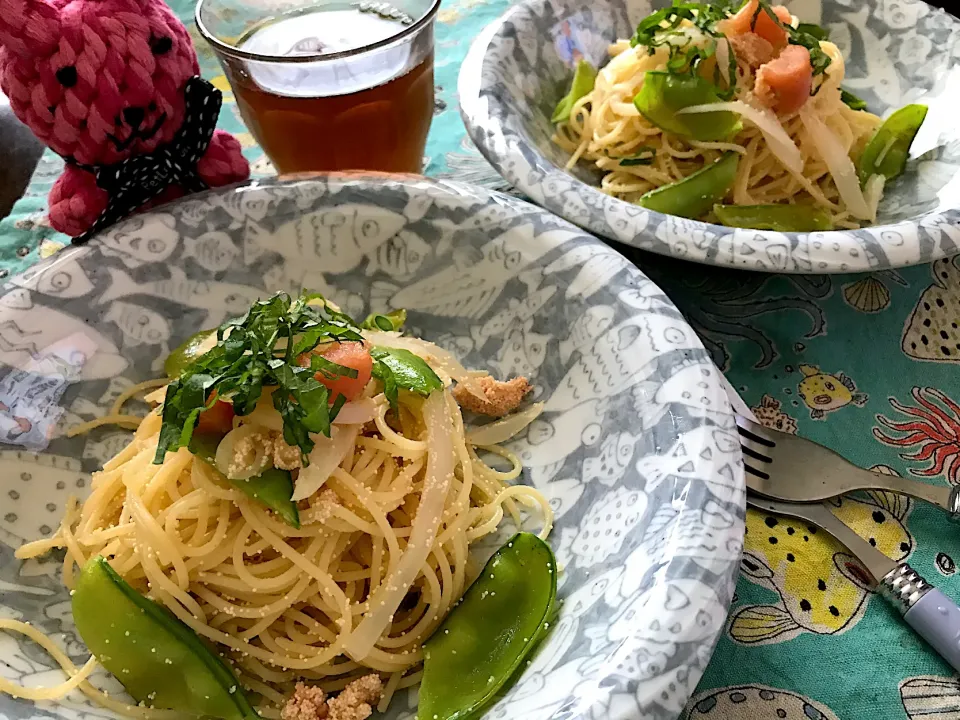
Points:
(782, 159)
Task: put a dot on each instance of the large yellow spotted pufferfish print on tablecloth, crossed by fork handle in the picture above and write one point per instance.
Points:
(822, 588)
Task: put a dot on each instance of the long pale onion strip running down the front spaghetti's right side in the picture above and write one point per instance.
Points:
(387, 598)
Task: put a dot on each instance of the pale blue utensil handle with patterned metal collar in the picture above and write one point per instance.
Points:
(934, 616)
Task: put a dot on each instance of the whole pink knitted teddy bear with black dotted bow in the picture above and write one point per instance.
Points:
(113, 87)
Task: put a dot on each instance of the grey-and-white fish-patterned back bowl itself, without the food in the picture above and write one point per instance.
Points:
(896, 51)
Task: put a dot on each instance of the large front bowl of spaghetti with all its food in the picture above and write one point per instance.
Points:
(356, 447)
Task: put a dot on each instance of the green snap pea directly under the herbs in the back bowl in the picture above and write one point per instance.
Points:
(663, 94)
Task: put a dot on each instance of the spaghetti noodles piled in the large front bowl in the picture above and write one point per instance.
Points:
(378, 557)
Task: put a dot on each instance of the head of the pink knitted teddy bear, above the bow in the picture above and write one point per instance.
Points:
(98, 81)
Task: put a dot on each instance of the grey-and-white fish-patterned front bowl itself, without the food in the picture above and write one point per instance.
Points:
(637, 450)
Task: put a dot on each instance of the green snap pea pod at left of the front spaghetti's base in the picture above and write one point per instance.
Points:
(159, 660)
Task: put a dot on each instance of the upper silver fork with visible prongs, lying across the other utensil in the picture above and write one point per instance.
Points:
(787, 467)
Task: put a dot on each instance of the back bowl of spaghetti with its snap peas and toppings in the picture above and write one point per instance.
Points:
(732, 133)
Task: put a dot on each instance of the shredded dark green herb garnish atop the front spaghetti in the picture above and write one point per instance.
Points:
(260, 349)
